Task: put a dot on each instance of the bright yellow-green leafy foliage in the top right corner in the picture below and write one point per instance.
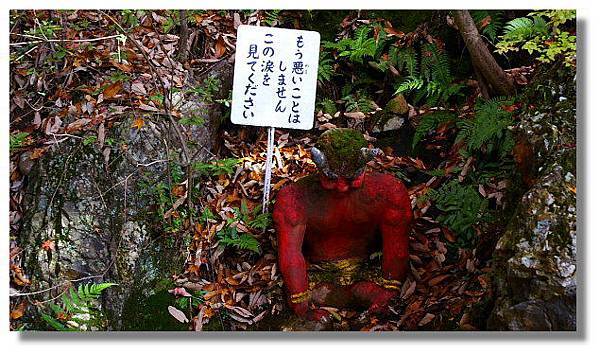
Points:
(542, 33)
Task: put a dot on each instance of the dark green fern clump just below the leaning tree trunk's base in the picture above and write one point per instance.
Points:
(488, 131)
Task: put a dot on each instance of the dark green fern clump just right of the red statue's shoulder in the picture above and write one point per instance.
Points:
(462, 208)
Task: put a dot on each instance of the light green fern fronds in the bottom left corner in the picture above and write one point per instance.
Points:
(77, 310)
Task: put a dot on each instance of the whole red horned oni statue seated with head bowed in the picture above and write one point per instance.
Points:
(328, 225)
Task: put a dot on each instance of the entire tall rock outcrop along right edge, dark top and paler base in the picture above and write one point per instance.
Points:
(535, 261)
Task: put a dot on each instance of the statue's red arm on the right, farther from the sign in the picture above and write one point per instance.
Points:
(395, 226)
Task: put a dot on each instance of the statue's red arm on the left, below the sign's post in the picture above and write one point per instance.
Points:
(290, 224)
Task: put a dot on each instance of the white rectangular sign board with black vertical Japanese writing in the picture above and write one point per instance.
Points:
(275, 77)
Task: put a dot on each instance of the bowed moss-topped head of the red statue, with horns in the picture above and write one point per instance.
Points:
(341, 154)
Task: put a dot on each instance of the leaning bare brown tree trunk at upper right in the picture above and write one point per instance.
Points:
(482, 59)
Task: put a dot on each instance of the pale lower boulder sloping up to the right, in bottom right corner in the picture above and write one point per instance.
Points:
(535, 259)
